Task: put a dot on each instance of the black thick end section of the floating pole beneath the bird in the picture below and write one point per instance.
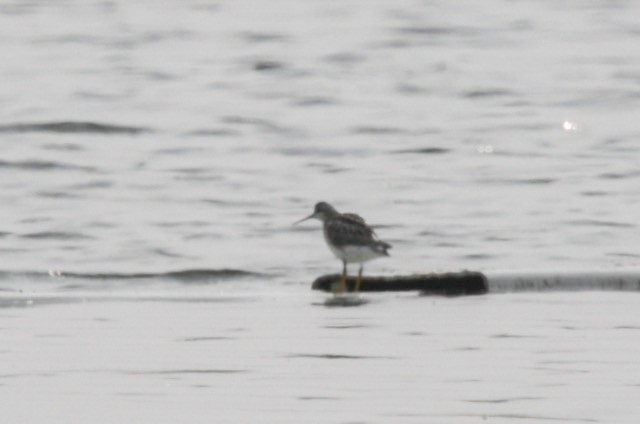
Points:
(446, 284)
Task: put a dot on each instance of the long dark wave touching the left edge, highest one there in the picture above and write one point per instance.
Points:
(72, 127)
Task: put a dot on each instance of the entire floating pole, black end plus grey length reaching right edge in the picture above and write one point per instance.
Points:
(475, 283)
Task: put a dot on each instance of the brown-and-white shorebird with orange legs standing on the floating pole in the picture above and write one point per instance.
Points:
(349, 238)
